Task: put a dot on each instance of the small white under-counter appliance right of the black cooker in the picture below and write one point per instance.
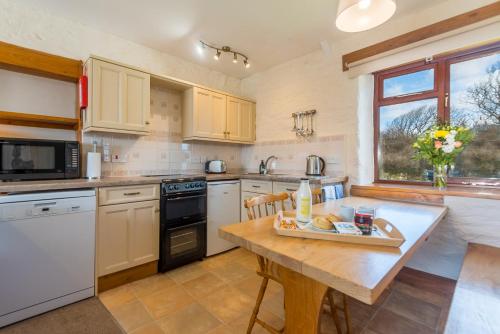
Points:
(223, 208)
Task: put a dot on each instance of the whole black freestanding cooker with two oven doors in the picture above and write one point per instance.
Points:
(183, 222)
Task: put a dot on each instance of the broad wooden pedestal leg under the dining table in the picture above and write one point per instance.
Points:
(303, 302)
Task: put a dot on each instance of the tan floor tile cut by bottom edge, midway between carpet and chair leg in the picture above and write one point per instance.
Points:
(192, 319)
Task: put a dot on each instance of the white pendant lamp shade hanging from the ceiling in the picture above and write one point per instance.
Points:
(361, 15)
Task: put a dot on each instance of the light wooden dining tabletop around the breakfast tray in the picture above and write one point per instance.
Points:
(360, 271)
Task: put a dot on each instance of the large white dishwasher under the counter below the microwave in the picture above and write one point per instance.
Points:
(47, 243)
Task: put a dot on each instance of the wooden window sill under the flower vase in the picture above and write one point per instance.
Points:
(422, 193)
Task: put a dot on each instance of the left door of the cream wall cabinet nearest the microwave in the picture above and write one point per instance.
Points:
(107, 95)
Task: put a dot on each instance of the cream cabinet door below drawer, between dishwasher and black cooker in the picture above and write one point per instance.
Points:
(128, 235)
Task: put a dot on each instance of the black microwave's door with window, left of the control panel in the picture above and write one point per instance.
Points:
(31, 159)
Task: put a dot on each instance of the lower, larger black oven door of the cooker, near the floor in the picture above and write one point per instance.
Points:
(181, 245)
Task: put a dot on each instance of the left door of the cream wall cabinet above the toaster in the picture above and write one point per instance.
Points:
(209, 114)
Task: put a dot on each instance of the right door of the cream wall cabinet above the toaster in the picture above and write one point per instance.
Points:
(240, 120)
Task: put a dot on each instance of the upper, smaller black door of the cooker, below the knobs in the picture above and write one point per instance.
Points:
(183, 208)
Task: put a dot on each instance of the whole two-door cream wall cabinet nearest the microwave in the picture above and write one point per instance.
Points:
(119, 99)
